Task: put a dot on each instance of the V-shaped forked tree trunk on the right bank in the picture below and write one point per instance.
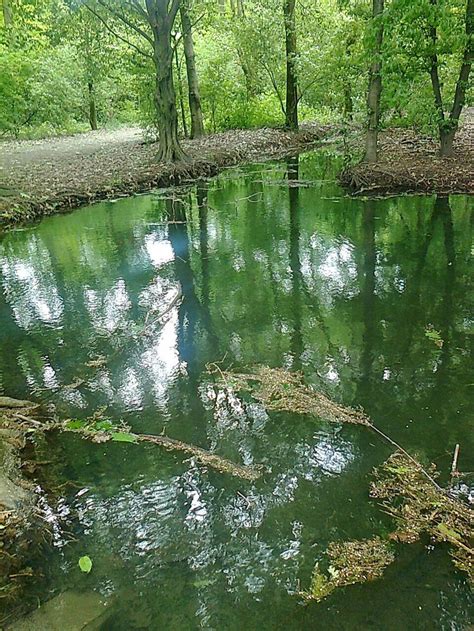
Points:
(448, 125)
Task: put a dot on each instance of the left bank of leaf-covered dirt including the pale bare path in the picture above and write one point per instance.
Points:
(42, 177)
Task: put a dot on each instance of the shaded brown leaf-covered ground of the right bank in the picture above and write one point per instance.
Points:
(411, 164)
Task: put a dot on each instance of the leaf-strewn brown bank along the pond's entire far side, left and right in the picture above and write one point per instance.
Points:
(47, 183)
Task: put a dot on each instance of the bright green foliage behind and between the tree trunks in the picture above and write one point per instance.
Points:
(57, 54)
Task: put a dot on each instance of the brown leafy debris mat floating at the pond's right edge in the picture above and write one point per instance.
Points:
(418, 507)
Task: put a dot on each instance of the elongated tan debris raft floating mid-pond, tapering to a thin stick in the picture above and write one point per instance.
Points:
(284, 391)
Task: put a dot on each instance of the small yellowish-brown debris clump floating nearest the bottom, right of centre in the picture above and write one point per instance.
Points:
(350, 562)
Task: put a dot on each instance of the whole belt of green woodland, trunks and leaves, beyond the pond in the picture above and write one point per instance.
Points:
(189, 67)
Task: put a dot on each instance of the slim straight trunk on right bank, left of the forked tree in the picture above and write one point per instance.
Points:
(375, 85)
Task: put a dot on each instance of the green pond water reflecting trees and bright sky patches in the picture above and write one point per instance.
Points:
(296, 276)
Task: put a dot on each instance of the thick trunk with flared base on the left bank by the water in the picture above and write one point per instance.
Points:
(161, 21)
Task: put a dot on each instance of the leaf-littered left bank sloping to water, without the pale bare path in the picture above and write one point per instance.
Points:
(44, 187)
